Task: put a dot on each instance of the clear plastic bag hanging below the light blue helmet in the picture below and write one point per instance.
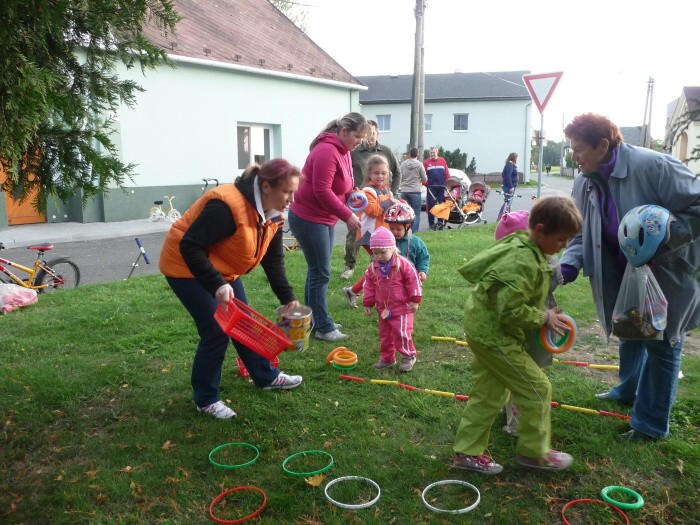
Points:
(640, 309)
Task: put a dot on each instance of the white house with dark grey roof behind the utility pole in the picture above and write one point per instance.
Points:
(486, 115)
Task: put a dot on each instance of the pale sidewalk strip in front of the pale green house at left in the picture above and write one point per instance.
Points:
(57, 232)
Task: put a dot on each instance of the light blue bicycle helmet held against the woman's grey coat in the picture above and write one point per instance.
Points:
(642, 230)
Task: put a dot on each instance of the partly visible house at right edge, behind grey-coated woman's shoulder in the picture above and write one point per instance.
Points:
(683, 127)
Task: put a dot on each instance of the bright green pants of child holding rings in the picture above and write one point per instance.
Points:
(496, 372)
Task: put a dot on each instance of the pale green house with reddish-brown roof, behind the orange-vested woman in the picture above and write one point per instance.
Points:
(248, 85)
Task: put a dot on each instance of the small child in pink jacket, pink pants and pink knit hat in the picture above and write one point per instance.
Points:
(393, 286)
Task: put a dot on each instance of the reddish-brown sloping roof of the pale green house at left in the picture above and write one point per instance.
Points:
(250, 33)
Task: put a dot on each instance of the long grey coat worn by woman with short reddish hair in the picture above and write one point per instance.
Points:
(642, 176)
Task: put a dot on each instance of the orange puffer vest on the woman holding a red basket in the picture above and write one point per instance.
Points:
(233, 256)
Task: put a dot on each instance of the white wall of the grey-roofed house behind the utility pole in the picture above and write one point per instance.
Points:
(495, 130)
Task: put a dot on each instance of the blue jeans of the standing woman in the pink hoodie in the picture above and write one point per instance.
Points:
(316, 242)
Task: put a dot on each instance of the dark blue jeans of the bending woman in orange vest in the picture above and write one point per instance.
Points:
(213, 342)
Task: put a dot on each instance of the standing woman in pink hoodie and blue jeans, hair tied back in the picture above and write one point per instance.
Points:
(319, 204)
